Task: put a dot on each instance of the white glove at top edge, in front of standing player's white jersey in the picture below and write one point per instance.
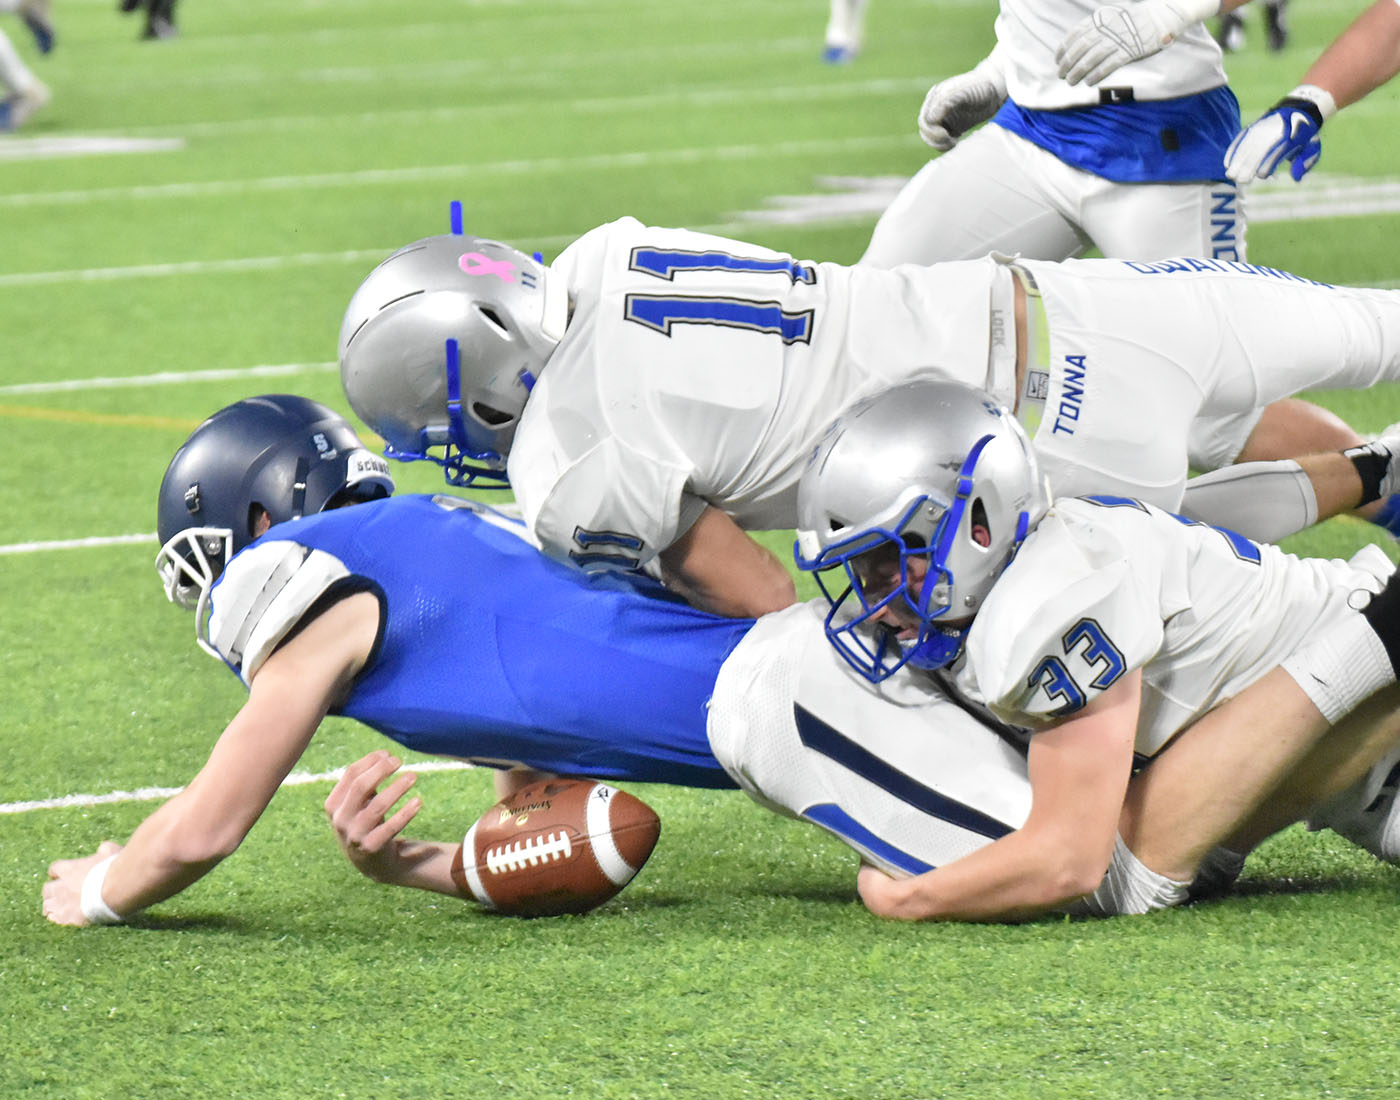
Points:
(1119, 34)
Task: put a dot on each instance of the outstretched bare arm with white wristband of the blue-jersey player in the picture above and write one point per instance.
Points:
(188, 836)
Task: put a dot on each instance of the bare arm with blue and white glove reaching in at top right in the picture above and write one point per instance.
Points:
(1359, 62)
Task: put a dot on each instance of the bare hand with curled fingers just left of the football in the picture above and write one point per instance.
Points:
(359, 814)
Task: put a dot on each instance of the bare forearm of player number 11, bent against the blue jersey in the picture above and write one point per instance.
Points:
(717, 567)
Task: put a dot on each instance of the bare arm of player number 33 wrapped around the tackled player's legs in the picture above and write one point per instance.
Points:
(1079, 777)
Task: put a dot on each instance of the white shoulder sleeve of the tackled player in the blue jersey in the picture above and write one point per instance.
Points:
(261, 598)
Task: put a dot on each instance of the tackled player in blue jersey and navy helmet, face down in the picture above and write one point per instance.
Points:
(351, 612)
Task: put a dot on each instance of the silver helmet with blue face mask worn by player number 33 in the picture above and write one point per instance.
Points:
(892, 495)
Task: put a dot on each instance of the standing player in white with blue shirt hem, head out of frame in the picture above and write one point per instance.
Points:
(1108, 129)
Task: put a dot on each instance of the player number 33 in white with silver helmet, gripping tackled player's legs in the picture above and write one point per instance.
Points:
(1104, 625)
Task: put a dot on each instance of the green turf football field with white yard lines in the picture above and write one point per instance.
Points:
(184, 227)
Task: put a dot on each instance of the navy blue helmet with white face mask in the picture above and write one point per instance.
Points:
(279, 456)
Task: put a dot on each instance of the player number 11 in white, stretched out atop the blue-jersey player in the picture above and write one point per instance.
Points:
(654, 393)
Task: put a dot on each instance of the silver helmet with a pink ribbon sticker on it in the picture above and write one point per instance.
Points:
(442, 345)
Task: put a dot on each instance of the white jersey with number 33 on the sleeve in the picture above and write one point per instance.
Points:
(1107, 586)
